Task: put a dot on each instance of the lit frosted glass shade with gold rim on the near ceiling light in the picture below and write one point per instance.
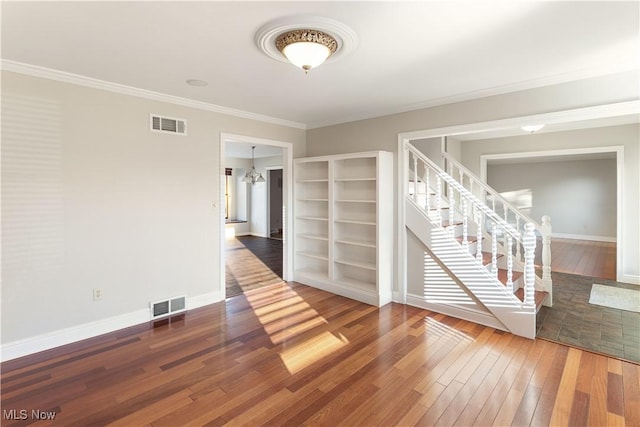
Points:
(306, 49)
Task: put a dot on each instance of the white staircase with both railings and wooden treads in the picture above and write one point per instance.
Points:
(489, 255)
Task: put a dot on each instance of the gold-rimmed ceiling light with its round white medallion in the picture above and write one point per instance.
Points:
(306, 41)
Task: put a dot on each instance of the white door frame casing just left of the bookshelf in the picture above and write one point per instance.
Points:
(287, 201)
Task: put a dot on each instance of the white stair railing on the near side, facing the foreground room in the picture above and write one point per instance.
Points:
(423, 170)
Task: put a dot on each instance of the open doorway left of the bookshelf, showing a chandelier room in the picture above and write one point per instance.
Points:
(249, 258)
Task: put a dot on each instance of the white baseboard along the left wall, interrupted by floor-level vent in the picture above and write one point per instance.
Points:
(73, 334)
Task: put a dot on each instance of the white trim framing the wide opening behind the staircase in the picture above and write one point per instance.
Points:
(620, 182)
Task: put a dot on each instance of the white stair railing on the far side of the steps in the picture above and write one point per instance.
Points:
(511, 214)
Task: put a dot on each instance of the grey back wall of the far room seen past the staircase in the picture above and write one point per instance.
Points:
(578, 195)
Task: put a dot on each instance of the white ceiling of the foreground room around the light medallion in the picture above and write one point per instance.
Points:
(409, 54)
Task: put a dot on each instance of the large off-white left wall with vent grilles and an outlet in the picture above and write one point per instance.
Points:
(92, 199)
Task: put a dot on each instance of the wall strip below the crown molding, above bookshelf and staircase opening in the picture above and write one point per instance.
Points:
(382, 133)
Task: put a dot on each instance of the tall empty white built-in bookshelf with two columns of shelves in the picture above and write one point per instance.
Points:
(344, 224)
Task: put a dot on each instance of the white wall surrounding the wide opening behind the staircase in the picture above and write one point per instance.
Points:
(626, 136)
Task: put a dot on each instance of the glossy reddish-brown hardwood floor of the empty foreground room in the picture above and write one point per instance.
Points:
(288, 354)
